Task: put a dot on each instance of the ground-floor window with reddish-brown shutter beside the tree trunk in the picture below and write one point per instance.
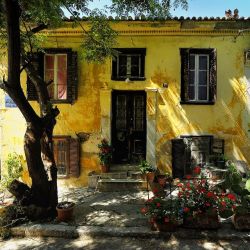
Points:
(66, 154)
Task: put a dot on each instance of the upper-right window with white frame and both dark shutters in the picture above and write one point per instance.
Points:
(198, 79)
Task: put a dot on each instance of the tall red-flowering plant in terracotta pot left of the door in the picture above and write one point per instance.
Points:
(105, 155)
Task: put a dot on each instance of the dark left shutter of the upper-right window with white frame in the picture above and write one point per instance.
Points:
(184, 74)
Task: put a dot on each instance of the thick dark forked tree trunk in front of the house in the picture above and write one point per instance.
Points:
(38, 135)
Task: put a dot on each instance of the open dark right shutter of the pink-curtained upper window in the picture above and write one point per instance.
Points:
(72, 76)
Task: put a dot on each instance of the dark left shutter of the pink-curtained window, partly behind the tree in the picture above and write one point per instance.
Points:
(38, 63)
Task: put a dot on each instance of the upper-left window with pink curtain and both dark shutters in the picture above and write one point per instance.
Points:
(59, 65)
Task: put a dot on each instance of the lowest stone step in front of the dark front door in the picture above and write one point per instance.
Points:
(113, 185)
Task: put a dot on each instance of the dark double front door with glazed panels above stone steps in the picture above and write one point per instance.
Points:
(128, 126)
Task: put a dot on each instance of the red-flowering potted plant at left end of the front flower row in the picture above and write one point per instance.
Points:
(164, 215)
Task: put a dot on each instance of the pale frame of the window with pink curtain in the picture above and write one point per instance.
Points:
(55, 82)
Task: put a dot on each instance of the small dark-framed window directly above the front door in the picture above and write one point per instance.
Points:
(128, 63)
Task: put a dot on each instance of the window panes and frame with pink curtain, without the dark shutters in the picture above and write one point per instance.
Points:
(55, 69)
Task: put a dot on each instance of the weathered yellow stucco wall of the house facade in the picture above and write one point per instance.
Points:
(228, 118)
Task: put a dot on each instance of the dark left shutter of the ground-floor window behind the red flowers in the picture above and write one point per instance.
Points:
(178, 158)
